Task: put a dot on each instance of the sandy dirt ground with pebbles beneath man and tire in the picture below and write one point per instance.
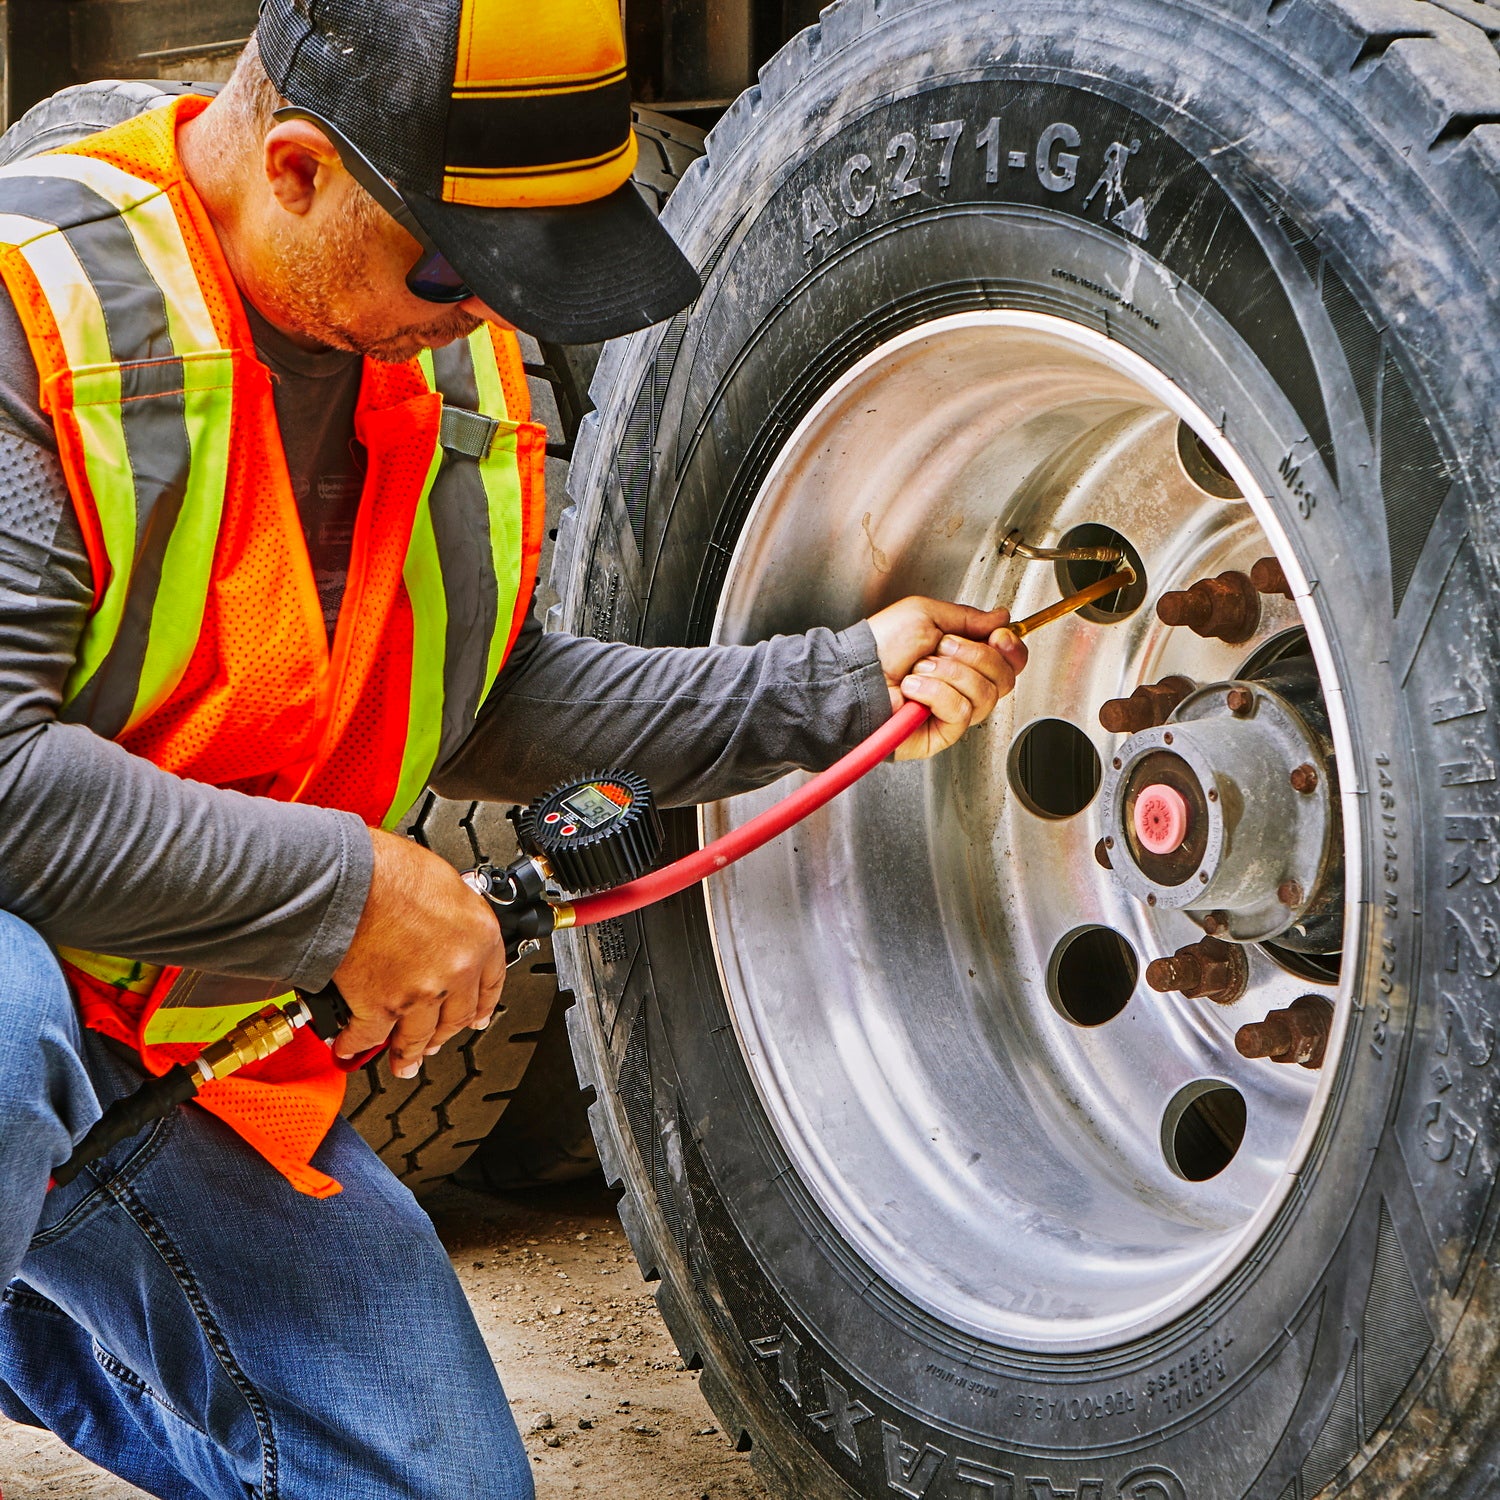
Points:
(599, 1391)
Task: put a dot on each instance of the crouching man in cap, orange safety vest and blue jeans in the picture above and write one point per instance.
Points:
(265, 572)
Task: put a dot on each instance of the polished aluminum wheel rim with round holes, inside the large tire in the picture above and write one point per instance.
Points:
(892, 965)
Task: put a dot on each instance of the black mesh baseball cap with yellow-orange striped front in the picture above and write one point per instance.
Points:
(505, 127)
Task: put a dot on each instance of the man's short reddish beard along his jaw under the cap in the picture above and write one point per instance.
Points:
(316, 284)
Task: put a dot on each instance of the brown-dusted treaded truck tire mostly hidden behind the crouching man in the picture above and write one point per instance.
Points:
(427, 1127)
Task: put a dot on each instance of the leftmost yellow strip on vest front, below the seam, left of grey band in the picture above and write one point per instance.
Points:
(107, 463)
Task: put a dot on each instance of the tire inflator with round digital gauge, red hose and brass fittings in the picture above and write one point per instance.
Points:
(595, 839)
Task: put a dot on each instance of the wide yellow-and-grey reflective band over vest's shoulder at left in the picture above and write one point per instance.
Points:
(152, 391)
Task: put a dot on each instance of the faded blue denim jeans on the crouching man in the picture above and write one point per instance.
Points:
(190, 1322)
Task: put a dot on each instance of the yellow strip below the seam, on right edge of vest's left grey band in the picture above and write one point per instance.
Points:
(188, 560)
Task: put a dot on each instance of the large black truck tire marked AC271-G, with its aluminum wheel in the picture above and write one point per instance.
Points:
(947, 1202)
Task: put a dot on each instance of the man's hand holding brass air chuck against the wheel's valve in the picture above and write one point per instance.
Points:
(959, 662)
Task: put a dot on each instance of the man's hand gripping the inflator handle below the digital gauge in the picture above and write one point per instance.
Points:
(427, 959)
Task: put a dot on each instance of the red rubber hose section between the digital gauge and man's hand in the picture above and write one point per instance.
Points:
(763, 829)
